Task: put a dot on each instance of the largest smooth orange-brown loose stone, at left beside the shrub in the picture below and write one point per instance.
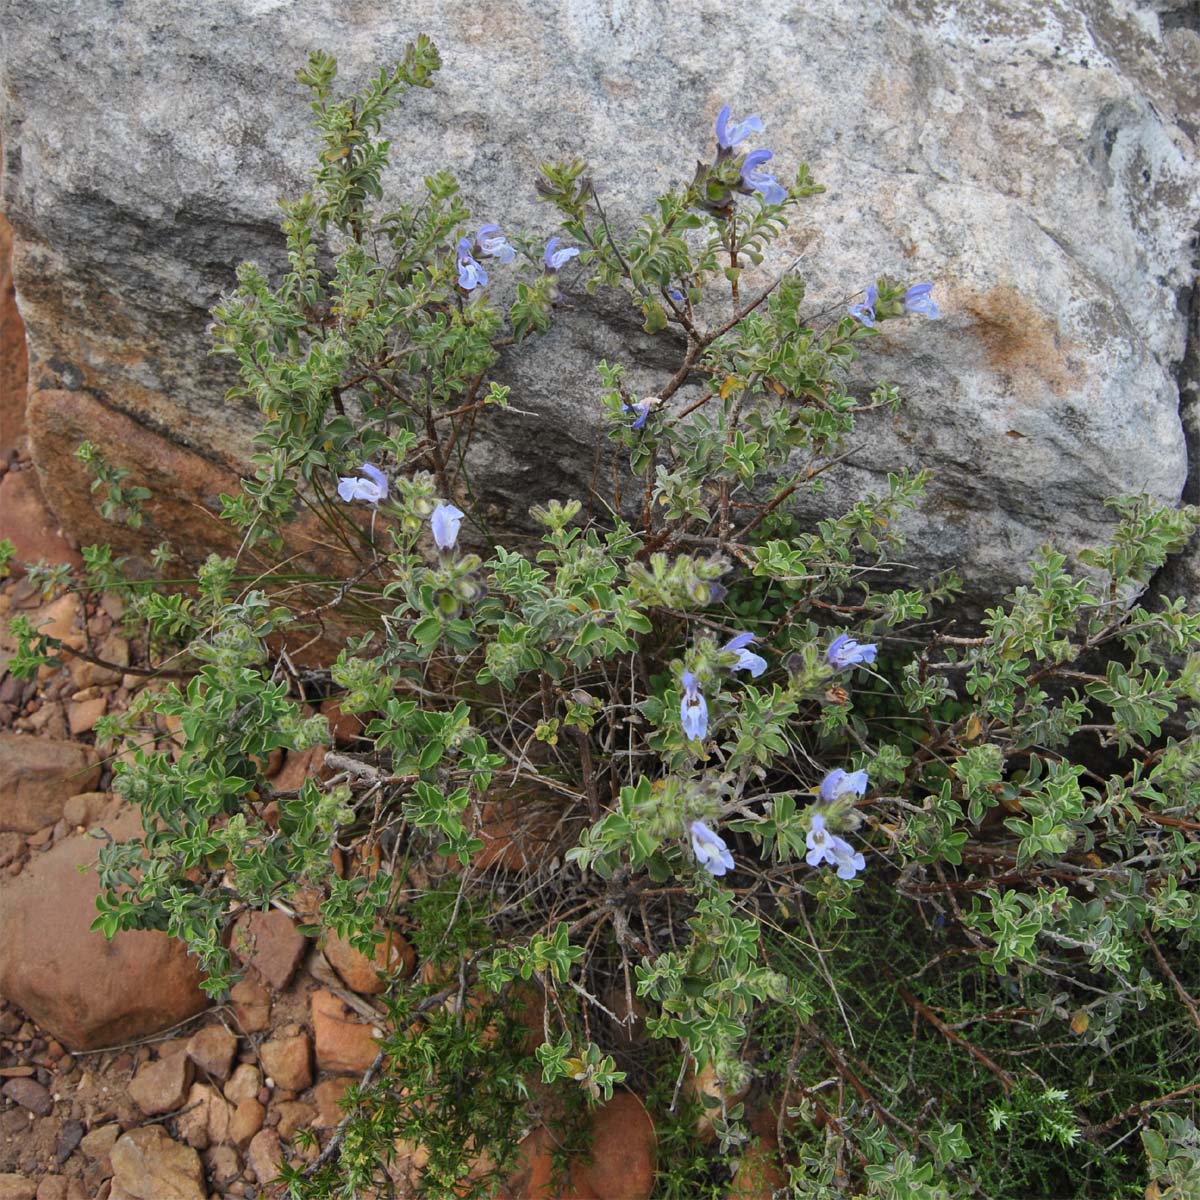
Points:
(83, 989)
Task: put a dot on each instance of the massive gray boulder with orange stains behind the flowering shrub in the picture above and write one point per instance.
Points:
(1036, 159)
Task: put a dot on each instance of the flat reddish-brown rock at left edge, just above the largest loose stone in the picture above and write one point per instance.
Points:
(39, 776)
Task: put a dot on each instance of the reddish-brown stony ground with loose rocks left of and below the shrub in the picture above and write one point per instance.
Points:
(121, 1081)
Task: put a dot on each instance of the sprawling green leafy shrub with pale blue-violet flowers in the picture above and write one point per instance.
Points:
(911, 889)
